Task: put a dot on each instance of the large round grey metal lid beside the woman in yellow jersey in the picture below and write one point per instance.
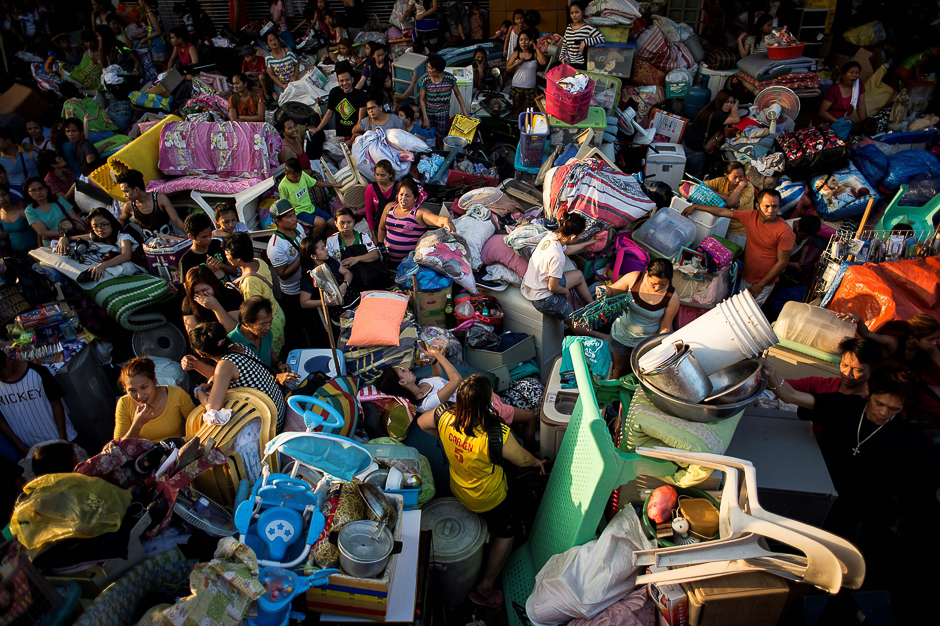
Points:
(458, 533)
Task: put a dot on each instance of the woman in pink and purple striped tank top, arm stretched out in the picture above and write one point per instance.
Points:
(404, 222)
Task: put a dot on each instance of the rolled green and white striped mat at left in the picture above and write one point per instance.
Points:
(126, 300)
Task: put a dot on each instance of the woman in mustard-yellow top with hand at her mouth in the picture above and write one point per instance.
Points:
(149, 411)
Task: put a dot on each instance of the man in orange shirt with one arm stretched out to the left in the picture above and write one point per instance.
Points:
(769, 242)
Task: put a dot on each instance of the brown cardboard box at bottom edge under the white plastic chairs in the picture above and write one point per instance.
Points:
(751, 599)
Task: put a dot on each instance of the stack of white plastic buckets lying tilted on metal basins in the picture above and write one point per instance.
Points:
(734, 330)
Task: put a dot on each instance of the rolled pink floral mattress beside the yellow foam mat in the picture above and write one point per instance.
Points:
(227, 149)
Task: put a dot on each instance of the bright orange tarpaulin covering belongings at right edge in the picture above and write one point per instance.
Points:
(881, 293)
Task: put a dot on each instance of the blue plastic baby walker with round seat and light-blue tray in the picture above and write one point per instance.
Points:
(281, 519)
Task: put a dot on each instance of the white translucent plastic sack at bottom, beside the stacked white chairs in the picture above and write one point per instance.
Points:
(585, 580)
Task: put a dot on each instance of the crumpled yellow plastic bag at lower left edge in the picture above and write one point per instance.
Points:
(68, 506)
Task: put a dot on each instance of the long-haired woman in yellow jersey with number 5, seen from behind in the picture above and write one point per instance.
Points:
(475, 480)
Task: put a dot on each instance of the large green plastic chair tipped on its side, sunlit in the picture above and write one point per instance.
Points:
(588, 468)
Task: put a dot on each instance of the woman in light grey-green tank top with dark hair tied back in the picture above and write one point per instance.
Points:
(652, 305)
